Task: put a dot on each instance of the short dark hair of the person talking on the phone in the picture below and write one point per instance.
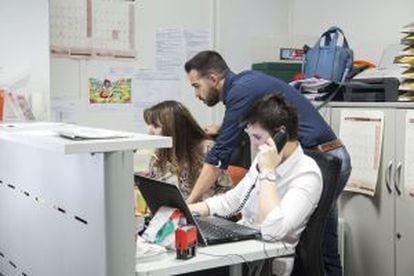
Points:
(271, 112)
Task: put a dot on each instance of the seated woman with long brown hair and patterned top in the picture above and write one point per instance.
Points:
(182, 163)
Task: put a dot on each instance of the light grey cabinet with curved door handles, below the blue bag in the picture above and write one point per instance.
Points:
(379, 238)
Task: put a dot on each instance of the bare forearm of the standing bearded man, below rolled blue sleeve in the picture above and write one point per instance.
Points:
(208, 176)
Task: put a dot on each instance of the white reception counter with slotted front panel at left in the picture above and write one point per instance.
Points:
(66, 206)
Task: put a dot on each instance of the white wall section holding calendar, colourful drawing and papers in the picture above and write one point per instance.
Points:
(109, 90)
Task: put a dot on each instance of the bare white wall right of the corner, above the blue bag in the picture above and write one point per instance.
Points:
(369, 25)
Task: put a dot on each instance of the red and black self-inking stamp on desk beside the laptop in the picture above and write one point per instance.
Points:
(186, 241)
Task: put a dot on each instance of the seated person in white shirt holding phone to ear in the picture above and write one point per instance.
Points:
(282, 187)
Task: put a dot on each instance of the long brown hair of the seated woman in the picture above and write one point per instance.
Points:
(187, 152)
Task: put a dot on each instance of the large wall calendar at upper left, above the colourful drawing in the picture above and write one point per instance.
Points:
(92, 28)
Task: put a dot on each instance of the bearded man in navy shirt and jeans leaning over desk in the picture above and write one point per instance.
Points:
(213, 81)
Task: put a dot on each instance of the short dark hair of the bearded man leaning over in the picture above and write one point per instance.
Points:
(207, 62)
